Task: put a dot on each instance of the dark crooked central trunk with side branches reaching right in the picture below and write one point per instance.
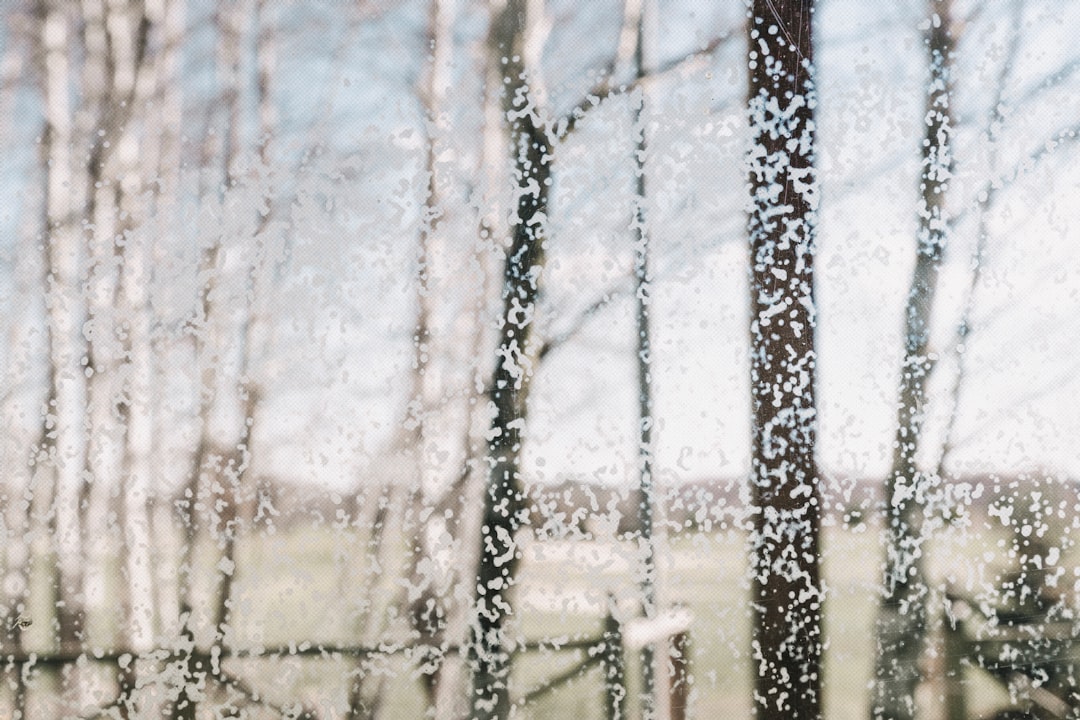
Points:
(515, 43)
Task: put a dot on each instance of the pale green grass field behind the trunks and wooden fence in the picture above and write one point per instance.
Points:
(320, 585)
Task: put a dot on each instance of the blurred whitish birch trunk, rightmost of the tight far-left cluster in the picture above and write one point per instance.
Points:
(146, 159)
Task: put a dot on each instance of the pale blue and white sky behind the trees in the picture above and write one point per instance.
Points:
(339, 360)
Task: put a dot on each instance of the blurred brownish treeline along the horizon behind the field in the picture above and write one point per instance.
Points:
(583, 510)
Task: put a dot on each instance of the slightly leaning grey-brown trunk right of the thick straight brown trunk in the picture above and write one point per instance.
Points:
(902, 617)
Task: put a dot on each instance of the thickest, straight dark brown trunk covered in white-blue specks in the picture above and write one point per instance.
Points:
(785, 542)
